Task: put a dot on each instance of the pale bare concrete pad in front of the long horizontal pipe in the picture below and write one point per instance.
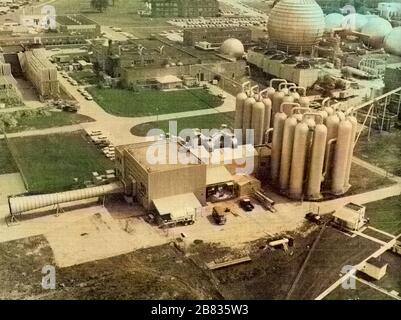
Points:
(96, 237)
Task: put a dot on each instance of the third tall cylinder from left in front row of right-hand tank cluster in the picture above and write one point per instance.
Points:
(298, 161)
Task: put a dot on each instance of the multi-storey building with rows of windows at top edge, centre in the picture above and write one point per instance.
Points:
(184, 8)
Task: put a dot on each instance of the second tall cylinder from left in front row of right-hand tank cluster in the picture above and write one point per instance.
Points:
(286, 153)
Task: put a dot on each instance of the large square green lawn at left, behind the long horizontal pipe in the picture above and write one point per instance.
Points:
(51, 162)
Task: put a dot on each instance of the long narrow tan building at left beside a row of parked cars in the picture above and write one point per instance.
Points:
(40, 72)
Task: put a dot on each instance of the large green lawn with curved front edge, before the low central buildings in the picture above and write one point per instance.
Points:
(127, 103)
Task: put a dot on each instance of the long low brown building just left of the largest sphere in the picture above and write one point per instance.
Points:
(216, 36)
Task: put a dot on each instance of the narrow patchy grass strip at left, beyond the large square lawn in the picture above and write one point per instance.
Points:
(56, 119)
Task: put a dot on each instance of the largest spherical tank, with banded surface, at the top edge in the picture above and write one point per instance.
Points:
(296, 25)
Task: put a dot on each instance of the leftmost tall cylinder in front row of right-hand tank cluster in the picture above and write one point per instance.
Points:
(277, 144)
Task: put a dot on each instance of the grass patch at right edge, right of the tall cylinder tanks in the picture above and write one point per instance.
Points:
(384, 151)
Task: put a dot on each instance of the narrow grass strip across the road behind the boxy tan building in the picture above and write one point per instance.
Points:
(213, 121)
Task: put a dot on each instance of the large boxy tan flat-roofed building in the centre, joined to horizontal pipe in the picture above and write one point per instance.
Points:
(163, 169)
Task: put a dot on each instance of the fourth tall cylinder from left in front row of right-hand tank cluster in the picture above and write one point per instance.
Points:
(315, 177)
